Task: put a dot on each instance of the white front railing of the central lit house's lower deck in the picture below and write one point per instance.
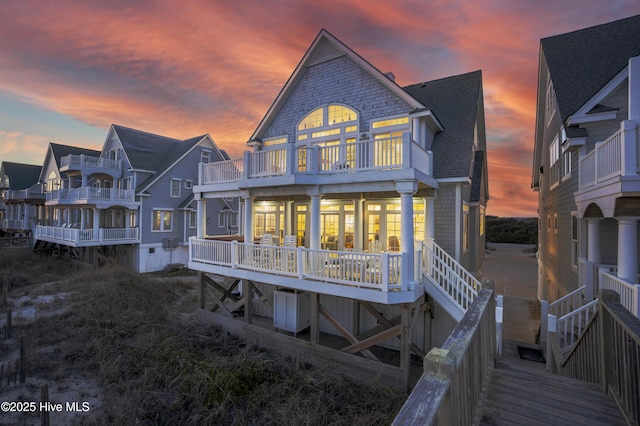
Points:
(369, 270)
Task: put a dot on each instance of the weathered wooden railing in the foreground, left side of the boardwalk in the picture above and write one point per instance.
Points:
(450, 389)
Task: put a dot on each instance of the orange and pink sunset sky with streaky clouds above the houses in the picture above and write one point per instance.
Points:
(69, 69)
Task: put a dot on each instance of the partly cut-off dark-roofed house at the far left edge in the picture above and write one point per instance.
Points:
(21, 198)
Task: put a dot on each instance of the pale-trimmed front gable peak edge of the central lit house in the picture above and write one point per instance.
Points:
(325, 47)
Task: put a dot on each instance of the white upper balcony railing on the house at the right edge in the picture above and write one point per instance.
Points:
(616, 156)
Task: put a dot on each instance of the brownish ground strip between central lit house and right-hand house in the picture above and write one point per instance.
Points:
(514, 270)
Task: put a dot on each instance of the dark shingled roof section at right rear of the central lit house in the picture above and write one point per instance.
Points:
(455, 101)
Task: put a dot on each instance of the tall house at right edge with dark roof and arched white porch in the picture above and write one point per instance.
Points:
(585, 165)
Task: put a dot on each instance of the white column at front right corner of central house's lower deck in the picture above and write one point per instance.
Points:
(406, 190)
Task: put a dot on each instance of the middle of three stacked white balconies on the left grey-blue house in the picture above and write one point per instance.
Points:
(101, 197)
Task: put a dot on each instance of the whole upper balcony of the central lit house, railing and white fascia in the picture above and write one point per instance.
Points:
(329, 163)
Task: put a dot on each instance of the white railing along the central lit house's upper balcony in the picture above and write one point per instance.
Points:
(290, 159)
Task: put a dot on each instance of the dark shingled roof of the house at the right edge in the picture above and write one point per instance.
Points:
(582, 62)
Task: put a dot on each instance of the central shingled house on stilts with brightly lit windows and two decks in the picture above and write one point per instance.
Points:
(362, 208)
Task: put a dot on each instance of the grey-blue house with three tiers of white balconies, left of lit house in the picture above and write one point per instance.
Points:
(131, 201)
